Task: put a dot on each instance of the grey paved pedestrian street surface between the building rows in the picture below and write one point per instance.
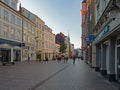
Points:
(52, 75)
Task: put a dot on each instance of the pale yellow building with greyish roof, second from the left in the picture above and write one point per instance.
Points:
(29, 26)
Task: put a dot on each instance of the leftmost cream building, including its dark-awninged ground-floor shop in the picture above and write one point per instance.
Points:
(10, 31)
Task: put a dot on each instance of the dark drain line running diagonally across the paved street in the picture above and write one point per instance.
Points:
(48, 78)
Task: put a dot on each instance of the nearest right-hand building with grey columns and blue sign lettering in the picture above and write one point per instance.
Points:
(107, 38)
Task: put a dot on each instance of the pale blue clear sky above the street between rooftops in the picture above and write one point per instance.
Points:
(60, 15)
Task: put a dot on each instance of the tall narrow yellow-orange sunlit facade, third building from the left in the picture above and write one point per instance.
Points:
(39, 37)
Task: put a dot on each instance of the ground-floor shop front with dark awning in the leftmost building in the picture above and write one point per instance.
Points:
(9, 51)
